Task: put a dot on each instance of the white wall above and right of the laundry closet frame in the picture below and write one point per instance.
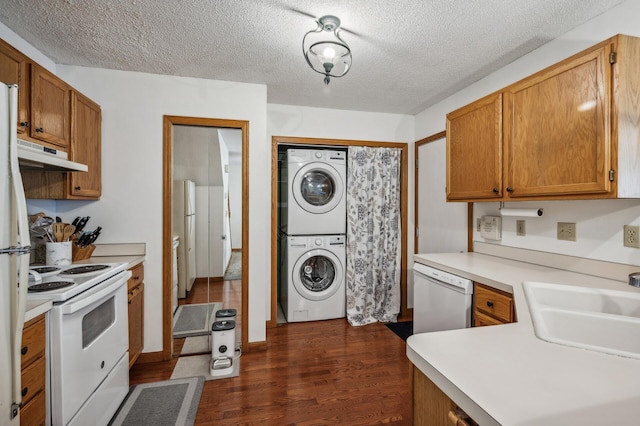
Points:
(286, 120)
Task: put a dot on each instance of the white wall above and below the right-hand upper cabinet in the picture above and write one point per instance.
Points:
(599, 223)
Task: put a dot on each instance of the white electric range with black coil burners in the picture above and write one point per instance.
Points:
(87, 339)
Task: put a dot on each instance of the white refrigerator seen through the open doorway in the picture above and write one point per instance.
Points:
(184, 225)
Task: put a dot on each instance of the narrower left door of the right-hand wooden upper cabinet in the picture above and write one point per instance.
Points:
(474, 150)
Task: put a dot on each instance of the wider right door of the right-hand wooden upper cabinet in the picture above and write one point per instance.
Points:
(557, 128)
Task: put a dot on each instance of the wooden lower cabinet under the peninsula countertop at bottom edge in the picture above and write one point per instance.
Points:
(432, 407)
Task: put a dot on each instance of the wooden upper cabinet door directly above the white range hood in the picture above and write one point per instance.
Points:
(49, 108)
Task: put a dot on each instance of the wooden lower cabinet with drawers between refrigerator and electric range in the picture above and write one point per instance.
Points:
(34, 368)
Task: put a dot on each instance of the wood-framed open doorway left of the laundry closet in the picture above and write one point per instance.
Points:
(217, 214)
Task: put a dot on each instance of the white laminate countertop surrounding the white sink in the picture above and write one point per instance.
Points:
(505, 375)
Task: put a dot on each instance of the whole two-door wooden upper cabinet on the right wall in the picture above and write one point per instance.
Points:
(570, 131)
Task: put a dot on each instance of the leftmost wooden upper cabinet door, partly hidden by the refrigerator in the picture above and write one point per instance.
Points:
(14, 69)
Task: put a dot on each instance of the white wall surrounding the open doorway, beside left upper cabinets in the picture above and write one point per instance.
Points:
(131, 206)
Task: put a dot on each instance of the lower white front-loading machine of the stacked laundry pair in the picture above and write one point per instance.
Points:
(315, 288)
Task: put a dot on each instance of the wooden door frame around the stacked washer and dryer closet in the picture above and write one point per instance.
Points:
(405, 312)
